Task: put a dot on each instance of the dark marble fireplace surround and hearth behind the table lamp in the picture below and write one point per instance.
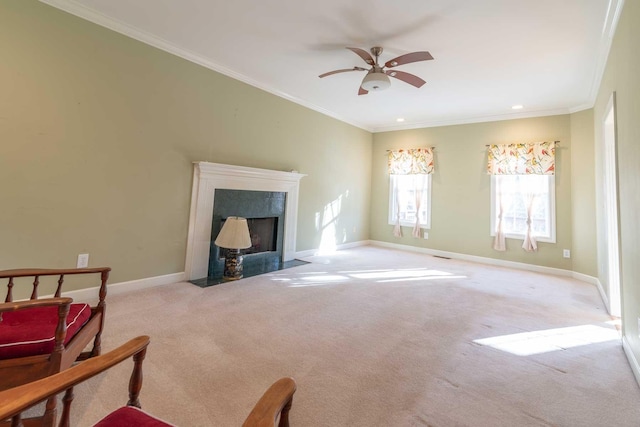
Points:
(265, 213)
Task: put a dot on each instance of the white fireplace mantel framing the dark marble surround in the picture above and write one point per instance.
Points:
(207, 177)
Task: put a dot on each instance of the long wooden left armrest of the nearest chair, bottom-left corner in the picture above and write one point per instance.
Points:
(17, 399)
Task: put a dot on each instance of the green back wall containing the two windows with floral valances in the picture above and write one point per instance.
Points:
(461, 188)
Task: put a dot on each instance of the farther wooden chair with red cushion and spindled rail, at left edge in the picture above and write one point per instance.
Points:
(41, 337)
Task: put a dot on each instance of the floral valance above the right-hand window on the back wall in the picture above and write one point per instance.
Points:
(537, 158)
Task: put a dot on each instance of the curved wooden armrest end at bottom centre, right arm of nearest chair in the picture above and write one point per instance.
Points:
(275, 401)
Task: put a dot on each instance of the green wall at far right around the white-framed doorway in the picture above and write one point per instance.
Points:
(621, 76)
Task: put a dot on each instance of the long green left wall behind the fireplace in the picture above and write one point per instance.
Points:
(98, 133)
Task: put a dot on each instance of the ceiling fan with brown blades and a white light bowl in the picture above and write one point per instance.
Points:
(377, 77)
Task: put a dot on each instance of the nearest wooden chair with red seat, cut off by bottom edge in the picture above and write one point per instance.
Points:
(274, 404)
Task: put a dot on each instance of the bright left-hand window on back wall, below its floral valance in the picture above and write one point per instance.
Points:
(403, 201)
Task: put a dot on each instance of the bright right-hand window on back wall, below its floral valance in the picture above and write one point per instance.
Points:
(513, 191)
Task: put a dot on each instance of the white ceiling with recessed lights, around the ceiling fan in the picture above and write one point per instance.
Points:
(547, 55)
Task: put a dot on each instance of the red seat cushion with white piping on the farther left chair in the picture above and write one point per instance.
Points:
(31, 331)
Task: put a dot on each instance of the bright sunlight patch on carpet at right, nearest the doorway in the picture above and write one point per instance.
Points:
(536, 342)
